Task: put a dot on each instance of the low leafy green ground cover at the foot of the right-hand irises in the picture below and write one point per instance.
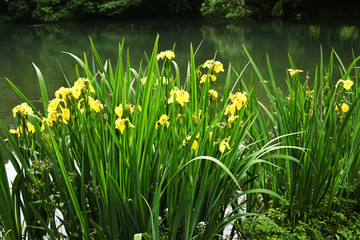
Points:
(343, 224)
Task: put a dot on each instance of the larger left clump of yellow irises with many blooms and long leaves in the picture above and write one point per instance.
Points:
(125, 153)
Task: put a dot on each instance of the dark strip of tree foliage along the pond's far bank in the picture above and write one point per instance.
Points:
(57, 10)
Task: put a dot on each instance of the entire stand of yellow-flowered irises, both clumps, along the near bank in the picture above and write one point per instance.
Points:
(124, 152)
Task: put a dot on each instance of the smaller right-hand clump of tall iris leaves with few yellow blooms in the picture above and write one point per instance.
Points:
(324, 112)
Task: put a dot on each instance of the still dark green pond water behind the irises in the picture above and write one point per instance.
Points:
(22, 45)
